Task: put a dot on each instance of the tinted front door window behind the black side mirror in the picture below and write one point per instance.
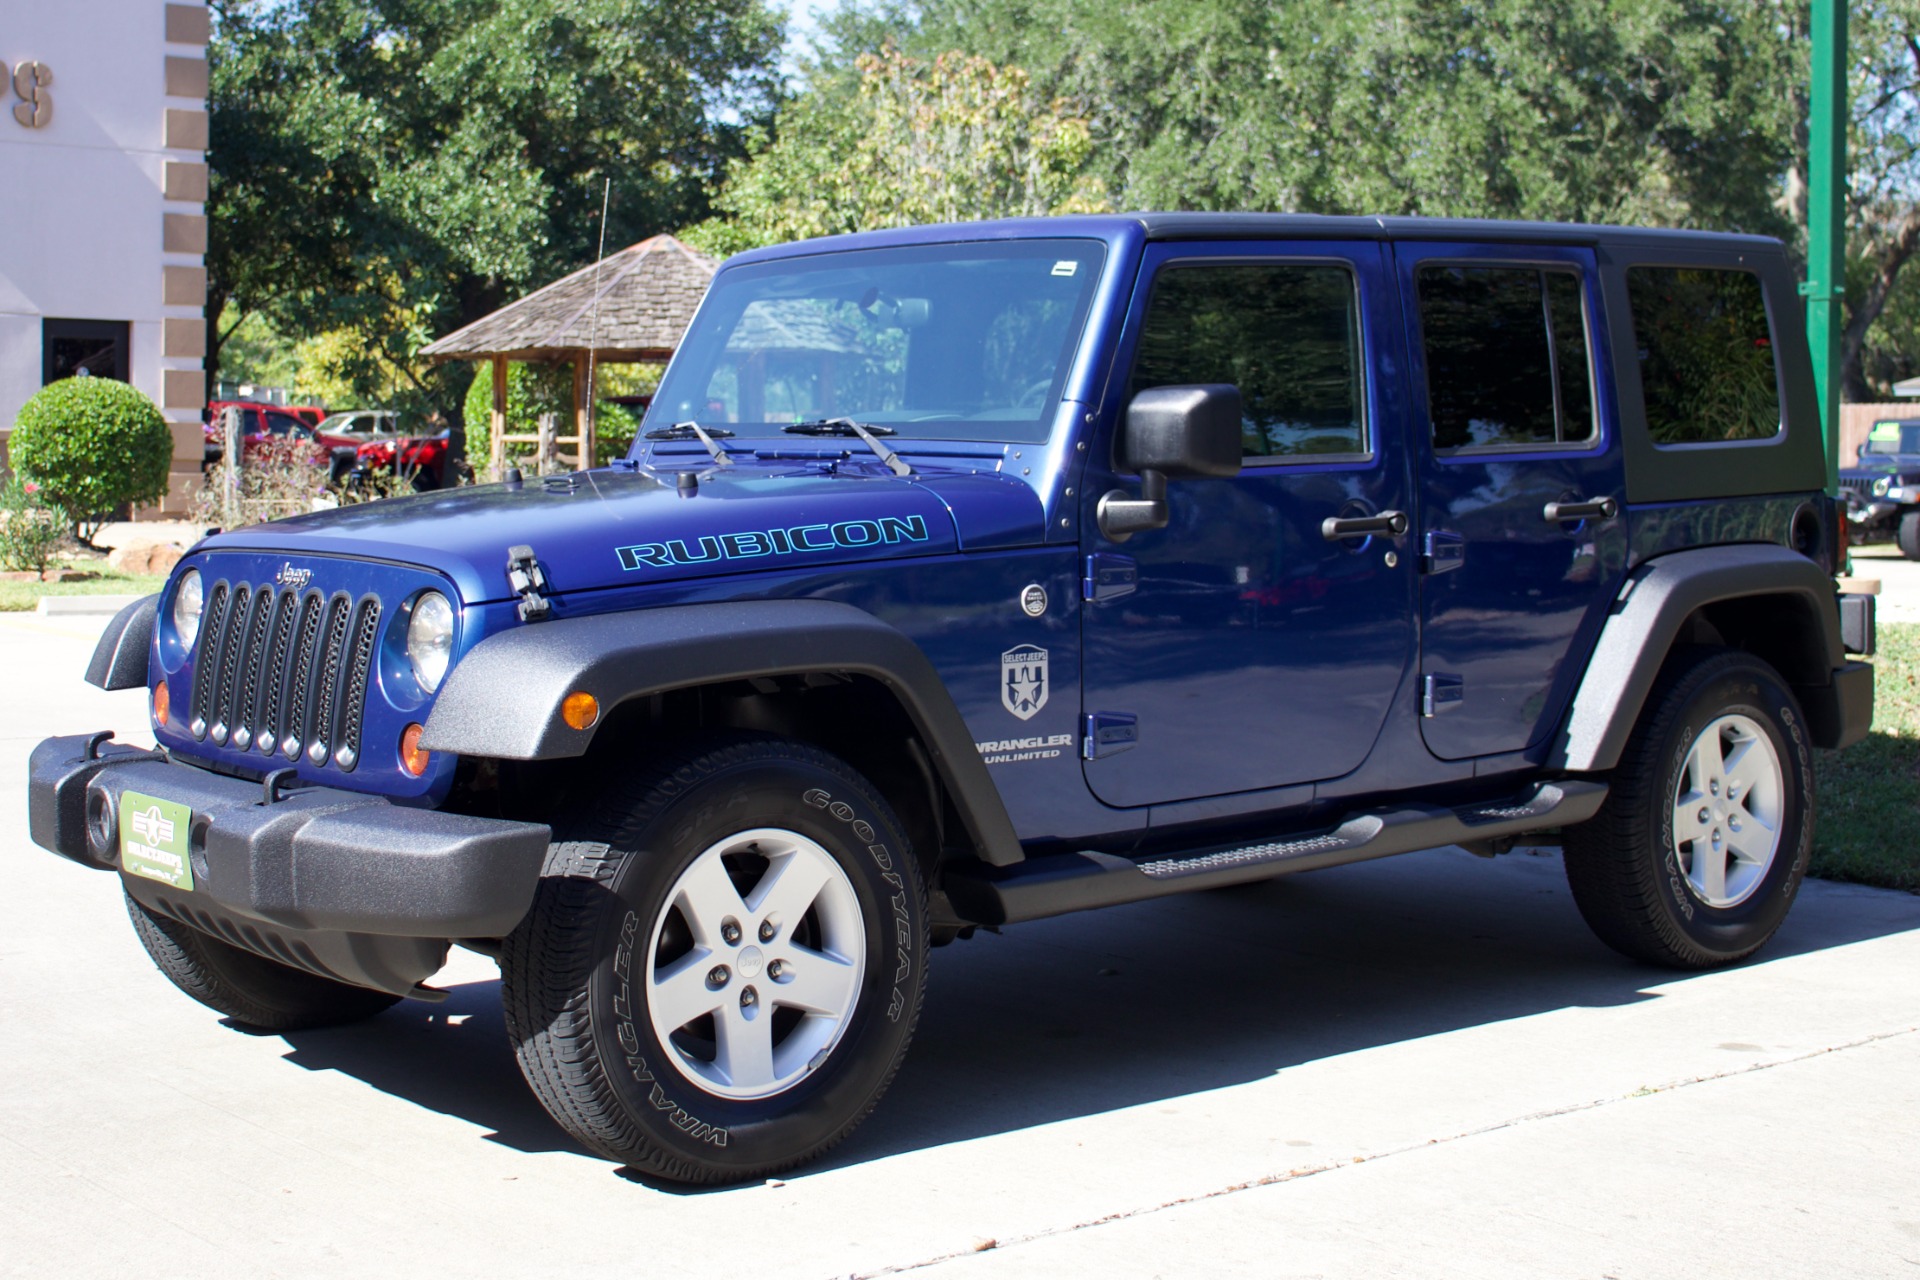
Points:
(1285, 335)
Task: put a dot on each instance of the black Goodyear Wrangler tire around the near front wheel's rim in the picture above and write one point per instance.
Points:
(575, 972)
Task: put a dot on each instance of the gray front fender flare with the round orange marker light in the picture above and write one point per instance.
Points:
(504, 698)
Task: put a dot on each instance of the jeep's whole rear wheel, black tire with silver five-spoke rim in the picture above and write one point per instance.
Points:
(1708, 830)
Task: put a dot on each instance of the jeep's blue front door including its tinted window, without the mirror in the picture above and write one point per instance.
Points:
(1243, 648)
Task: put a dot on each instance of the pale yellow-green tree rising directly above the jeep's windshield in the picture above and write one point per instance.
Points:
(900, 141)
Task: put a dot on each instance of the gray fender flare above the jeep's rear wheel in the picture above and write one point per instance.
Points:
(1646, 619)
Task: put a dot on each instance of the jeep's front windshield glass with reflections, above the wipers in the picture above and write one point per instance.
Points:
(955, 341)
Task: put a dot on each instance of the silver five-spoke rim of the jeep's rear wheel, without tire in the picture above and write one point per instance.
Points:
(1729, 809)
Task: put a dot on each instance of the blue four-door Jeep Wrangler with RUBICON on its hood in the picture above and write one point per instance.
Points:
(976, 575)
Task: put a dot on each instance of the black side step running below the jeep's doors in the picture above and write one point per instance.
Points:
(1067, 884)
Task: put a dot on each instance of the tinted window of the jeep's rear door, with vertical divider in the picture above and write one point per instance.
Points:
(1506, 356)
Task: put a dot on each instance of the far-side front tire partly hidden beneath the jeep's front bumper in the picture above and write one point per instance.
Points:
(251, 989)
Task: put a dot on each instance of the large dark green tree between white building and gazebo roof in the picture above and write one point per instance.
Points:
(400, 168)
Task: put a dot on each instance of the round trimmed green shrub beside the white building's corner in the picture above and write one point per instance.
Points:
(93, 446)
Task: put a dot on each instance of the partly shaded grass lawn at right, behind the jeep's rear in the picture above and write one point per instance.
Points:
(1871, 794)
